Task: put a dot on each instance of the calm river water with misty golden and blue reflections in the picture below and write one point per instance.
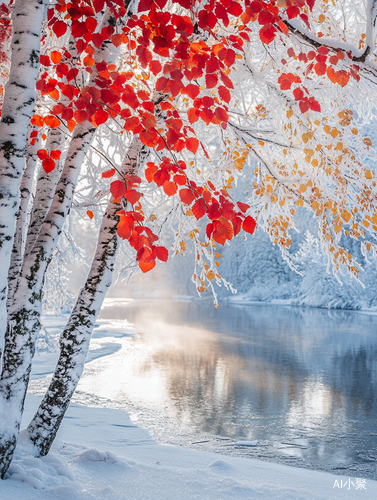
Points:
(301, 381)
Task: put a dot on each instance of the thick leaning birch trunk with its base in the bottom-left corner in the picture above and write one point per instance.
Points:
(24, 315)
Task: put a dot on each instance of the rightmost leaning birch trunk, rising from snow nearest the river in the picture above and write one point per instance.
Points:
(75, 339)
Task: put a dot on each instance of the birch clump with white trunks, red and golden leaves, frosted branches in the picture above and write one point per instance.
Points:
(287, 84)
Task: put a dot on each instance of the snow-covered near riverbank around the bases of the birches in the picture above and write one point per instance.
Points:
(100, 454)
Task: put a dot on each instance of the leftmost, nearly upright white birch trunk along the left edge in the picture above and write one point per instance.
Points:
(18, 106)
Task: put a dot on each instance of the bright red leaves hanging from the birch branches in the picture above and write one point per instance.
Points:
(160, 42)
